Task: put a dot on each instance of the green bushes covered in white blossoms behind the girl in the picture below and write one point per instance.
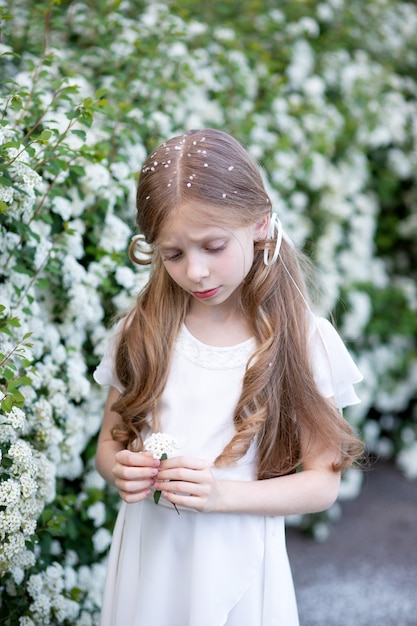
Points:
(324, 96)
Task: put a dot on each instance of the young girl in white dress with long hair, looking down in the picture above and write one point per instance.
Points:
(222, 352)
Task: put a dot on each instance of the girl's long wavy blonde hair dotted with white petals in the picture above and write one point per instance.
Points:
(279, 398)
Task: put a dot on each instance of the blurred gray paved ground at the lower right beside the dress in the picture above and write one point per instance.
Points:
(365, 573)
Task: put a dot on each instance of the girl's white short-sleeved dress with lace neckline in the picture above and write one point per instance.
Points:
(209, 569)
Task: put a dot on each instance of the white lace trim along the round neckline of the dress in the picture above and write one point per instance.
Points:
(213, 357)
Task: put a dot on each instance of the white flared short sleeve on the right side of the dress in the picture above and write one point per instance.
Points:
(334, 370)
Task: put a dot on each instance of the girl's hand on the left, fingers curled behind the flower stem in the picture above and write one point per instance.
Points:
(134, 474)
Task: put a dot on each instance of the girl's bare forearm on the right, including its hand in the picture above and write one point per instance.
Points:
(313, 489)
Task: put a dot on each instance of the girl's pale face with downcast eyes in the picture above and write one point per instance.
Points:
(205, 259)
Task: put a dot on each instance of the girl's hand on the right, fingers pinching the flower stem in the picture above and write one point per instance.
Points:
(188, 482)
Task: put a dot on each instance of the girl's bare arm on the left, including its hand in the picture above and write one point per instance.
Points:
(133, 473)
